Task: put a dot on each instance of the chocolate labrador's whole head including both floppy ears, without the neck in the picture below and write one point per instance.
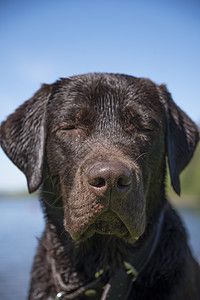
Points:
(104, 139)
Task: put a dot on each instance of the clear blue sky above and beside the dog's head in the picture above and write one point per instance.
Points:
(44, 40)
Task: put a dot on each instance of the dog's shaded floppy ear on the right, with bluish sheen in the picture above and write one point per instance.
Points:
(181, 138)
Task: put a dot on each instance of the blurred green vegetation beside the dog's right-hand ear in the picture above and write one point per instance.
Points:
(190, 181)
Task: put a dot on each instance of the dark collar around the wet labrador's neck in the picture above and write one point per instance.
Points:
(120, 285)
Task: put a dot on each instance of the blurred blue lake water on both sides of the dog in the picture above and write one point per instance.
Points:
(21, 222)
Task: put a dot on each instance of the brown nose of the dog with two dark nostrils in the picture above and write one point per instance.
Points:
(104, 176)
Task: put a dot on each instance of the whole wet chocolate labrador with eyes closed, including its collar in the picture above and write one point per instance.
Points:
(96, 145)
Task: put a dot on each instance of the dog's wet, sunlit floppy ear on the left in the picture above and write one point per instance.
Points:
(22, 136)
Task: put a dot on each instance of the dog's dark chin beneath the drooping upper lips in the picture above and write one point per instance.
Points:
(107, 224)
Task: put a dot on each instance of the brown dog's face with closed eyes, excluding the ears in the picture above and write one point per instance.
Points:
(102, 142)
